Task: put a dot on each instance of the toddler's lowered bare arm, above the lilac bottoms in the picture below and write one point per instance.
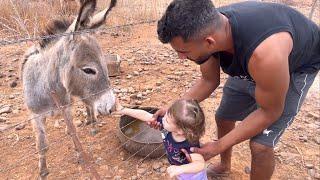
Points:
(197, 165)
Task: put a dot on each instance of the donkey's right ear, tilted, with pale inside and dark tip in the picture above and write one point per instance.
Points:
(100, 18)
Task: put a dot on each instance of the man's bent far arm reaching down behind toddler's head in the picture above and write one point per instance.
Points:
(208, 82)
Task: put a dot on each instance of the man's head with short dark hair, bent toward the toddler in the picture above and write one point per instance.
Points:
(189, 25)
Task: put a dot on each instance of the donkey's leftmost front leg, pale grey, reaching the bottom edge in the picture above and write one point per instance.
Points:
(42, 146)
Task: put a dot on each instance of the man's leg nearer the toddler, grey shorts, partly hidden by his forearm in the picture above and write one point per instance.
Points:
(237, 102)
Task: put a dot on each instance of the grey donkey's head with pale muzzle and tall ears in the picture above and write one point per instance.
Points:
(82, 66)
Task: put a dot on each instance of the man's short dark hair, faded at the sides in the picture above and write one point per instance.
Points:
(188, 19)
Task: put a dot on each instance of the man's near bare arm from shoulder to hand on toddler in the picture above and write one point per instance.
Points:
(270, 70)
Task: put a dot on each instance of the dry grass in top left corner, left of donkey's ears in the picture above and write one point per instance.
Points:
(27, 18)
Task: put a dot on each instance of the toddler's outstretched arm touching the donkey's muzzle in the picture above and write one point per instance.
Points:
(136, 113)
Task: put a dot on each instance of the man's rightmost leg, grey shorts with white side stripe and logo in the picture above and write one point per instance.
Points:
(263, 162)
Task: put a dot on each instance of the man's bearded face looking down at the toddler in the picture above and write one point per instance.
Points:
(197, 51)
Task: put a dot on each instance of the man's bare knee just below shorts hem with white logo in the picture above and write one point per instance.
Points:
(259, 151)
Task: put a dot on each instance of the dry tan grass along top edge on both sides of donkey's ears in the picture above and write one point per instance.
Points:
(21, 18)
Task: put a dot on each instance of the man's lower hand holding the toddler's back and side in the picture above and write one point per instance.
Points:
(208, 150)
